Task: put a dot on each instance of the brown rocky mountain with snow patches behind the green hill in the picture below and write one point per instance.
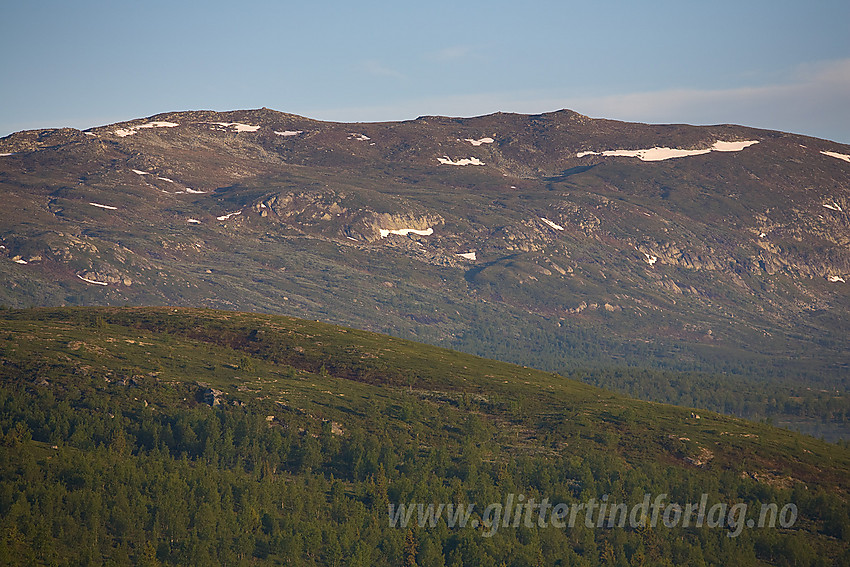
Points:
(555, 240)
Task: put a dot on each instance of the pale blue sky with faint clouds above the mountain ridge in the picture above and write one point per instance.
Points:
(781, 65)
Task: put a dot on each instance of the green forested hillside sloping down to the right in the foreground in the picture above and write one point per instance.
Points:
(170, 436)
